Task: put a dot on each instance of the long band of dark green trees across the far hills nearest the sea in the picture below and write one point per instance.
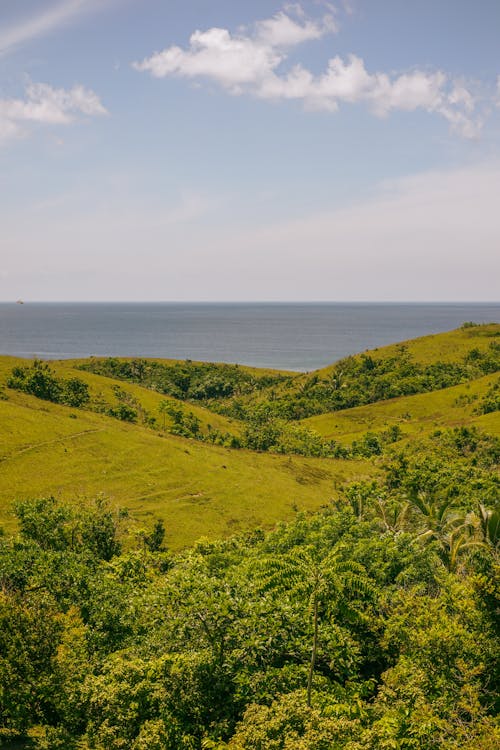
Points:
(238, 393)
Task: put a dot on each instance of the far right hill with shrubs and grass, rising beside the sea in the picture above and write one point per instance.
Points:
(422, 365)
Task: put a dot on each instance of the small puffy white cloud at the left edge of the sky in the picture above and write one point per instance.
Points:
(44, 104)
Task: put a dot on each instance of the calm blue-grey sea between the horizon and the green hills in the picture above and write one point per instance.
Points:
(293, 336)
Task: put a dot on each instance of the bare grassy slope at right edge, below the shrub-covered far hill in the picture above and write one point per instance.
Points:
(415, 415)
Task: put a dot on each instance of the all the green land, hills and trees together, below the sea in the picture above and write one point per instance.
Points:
(371, 625)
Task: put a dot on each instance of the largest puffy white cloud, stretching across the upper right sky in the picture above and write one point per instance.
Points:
(253, 62)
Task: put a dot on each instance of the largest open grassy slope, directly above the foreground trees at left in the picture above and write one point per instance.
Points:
(198, 489)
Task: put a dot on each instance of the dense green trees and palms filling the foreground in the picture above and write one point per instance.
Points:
(370, 626)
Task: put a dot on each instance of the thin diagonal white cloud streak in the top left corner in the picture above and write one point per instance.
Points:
(49, 19)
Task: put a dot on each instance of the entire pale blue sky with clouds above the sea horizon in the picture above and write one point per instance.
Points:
(224, 150)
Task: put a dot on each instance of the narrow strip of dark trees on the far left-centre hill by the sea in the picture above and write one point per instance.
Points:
(195, 381)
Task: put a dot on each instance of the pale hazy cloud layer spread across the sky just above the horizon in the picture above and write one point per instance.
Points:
(428, 236)
